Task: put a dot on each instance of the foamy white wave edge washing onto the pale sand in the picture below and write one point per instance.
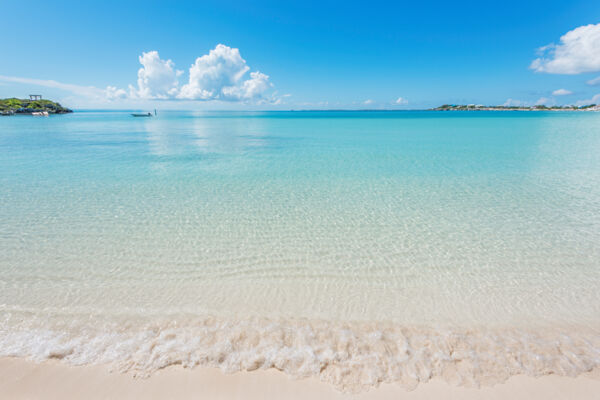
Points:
(352, 357)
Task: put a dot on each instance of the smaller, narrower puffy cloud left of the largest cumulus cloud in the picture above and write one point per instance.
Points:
(157, 79)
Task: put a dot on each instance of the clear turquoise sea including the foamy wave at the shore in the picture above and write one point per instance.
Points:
(256, 240)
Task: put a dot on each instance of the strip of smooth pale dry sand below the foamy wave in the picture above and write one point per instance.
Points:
(22, 379)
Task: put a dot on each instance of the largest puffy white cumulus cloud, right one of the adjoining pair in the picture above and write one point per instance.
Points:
(219, 75)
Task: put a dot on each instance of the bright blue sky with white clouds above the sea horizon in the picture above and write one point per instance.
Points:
(208, 55)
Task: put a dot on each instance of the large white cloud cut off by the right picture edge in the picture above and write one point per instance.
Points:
(577, 52)
